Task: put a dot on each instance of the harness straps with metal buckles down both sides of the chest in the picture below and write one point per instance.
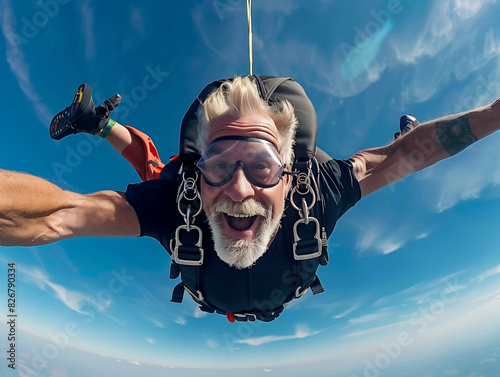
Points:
(309, 245)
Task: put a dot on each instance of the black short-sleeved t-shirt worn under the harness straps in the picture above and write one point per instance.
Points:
(270, 282)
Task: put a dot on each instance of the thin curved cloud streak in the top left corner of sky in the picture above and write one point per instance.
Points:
(18, 65)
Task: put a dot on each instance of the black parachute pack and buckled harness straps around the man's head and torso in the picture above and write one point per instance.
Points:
(308, 240)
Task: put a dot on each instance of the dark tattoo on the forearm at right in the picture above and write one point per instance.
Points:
(455, 134)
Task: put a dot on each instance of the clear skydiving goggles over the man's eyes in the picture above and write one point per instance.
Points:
(259, 159)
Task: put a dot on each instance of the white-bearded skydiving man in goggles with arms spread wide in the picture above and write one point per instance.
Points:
(242, 242)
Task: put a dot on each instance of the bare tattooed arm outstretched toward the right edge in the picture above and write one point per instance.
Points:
(425, 145)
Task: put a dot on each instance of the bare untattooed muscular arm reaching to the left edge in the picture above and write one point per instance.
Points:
(36, 212)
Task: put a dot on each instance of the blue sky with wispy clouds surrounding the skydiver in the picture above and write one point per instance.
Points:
(413, 281)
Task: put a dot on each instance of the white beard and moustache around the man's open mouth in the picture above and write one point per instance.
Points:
(241, 253)
